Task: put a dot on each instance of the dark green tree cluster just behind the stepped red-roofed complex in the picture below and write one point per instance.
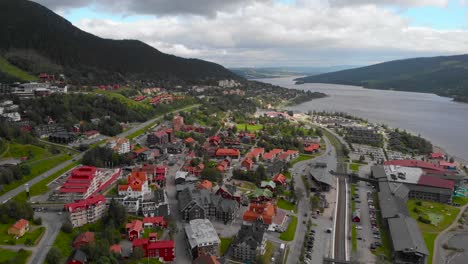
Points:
(105, 157)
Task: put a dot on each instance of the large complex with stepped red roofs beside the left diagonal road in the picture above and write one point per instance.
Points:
(86, 181)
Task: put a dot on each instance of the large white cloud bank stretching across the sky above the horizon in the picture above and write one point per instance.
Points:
(267, 34)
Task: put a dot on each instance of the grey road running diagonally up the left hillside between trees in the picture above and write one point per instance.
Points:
(12, 193)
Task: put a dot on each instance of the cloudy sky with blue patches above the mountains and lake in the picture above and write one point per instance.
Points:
(265, 33)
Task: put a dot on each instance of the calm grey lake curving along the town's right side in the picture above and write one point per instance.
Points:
(438, 119)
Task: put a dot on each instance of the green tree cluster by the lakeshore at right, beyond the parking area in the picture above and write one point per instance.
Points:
(407, 143)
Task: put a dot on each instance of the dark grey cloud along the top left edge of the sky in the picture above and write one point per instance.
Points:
(152, 7)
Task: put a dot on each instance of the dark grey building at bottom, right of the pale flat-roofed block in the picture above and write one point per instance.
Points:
(249, 243)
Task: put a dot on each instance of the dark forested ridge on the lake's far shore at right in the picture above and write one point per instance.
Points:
(443, 75)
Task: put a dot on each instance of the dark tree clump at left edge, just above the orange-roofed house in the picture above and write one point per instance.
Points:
(14, 210)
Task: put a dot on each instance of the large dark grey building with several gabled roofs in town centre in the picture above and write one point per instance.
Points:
(201, 203)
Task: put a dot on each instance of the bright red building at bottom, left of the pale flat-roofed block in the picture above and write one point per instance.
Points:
(156, 249)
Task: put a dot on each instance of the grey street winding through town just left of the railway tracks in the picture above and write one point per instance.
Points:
(299, 169)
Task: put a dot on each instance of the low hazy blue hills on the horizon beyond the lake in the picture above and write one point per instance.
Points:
(276, 72)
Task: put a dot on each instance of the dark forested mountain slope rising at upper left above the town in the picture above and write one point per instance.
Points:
(35, 39)
